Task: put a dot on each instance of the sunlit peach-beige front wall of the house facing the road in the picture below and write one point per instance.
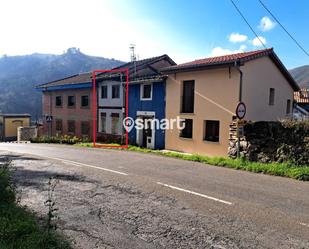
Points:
(216, 96)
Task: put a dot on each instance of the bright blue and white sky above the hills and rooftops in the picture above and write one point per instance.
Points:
(184, 29)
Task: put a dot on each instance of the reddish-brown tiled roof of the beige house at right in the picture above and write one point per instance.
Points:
(232, 60)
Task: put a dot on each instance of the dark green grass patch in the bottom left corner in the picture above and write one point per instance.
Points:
(19, 228)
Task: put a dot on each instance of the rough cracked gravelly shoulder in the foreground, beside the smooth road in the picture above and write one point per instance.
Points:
(101, 210)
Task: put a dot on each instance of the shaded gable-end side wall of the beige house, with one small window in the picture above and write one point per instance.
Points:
(260, 75)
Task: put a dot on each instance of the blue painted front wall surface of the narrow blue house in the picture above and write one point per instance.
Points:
(157, 105)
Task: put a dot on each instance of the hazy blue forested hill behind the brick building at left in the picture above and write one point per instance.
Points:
(19, 75)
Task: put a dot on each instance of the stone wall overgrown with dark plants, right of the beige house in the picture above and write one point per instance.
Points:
(272, 142)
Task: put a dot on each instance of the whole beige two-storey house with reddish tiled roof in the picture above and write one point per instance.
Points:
(205, 94)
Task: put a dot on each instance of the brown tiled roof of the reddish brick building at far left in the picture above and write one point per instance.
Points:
(71, 80)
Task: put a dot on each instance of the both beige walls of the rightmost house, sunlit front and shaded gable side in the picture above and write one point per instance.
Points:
(216, 97)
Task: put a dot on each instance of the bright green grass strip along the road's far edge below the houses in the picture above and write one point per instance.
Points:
(278, 169)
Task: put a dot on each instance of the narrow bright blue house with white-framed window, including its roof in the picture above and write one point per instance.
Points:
(147, 99)
